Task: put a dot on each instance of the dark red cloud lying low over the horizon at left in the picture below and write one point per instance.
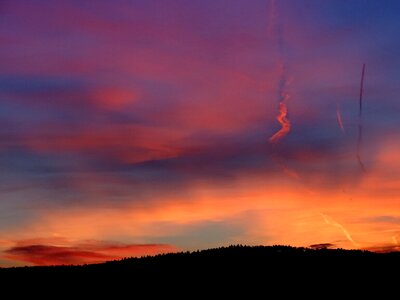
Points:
(81, 253)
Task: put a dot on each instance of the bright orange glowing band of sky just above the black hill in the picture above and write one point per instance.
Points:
(284, 211)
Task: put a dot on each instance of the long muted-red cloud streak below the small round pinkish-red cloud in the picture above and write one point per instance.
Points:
(128, 143)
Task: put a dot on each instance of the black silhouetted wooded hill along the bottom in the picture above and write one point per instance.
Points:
(280, 268)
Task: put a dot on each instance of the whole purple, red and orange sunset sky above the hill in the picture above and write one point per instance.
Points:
(139, 127)
